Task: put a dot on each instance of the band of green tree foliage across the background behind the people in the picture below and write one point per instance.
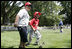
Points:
(51, 12)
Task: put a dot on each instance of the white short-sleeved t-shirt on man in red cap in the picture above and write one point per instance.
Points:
(23, 17)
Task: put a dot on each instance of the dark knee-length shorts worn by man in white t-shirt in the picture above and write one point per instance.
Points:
(23, 34)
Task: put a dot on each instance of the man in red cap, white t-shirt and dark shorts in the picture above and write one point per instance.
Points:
(21, 22)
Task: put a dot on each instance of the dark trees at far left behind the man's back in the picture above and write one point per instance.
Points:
(9, 10)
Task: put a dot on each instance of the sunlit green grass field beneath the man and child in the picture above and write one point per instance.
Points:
(52, 39)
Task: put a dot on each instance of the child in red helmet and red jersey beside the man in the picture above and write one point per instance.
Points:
(34, 26)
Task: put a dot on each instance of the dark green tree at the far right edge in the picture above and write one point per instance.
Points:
(66, 10)
